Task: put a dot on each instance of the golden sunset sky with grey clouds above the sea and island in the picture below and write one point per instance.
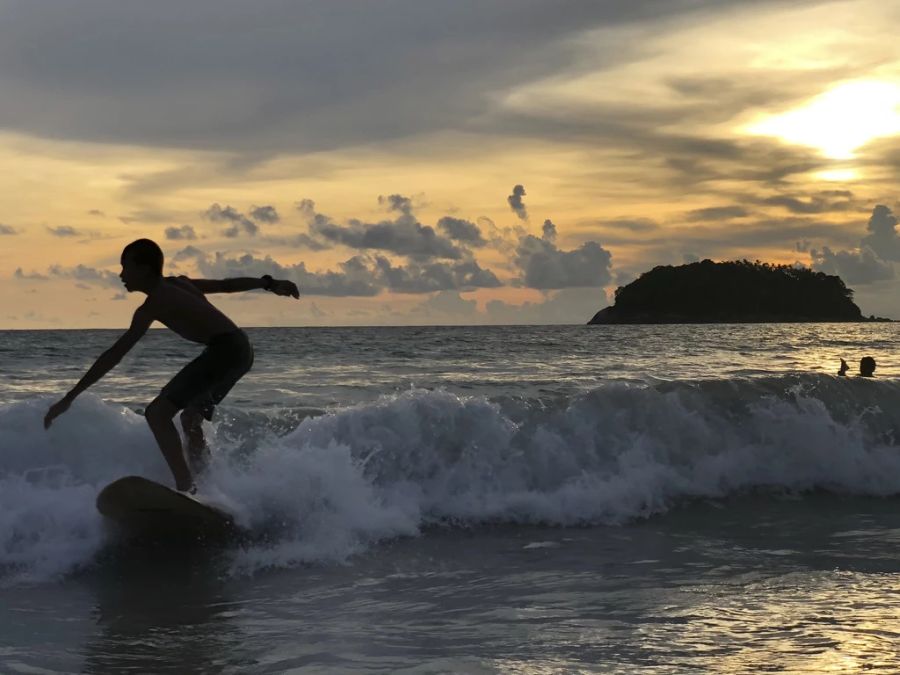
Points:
(432, 162)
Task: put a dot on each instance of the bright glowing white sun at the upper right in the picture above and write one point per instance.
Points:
(839, 121)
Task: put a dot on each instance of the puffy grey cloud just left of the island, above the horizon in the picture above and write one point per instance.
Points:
(544, 266)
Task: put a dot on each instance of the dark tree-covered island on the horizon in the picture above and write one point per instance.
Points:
(732, 292)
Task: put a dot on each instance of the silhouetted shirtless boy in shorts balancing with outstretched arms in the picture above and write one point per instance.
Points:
(180, 304)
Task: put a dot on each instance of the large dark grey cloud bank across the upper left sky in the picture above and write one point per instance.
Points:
(333, 79)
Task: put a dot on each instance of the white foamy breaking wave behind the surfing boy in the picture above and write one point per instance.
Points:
(343, 481)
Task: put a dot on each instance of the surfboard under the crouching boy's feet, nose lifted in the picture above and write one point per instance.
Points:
(143, 506)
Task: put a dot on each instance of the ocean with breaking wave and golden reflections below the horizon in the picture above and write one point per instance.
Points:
(519, 499)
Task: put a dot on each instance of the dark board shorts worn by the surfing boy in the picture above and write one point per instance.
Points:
(206, 380)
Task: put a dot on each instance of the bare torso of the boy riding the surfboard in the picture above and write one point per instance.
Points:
(179, 305)
